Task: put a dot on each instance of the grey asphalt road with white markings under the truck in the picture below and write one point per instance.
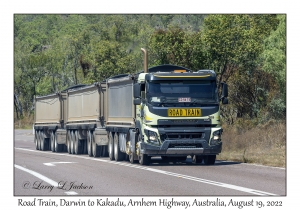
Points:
(46, 173)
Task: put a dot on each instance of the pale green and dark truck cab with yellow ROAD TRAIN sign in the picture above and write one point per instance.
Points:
(178, 114)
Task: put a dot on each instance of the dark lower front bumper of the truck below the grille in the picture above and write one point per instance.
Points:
(181, 147)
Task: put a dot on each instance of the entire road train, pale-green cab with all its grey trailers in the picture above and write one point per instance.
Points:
(165, 111)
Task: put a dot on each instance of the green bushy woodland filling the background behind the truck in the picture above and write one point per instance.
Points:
(53, 52)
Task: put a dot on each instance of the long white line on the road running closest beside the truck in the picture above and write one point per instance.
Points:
(196, 179)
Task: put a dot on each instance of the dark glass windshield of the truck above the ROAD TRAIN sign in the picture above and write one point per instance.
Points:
(182, 93)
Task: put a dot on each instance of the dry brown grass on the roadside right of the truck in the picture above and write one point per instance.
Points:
(264, 144)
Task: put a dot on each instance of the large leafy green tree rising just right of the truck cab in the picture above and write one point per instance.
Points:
(233, 46)
